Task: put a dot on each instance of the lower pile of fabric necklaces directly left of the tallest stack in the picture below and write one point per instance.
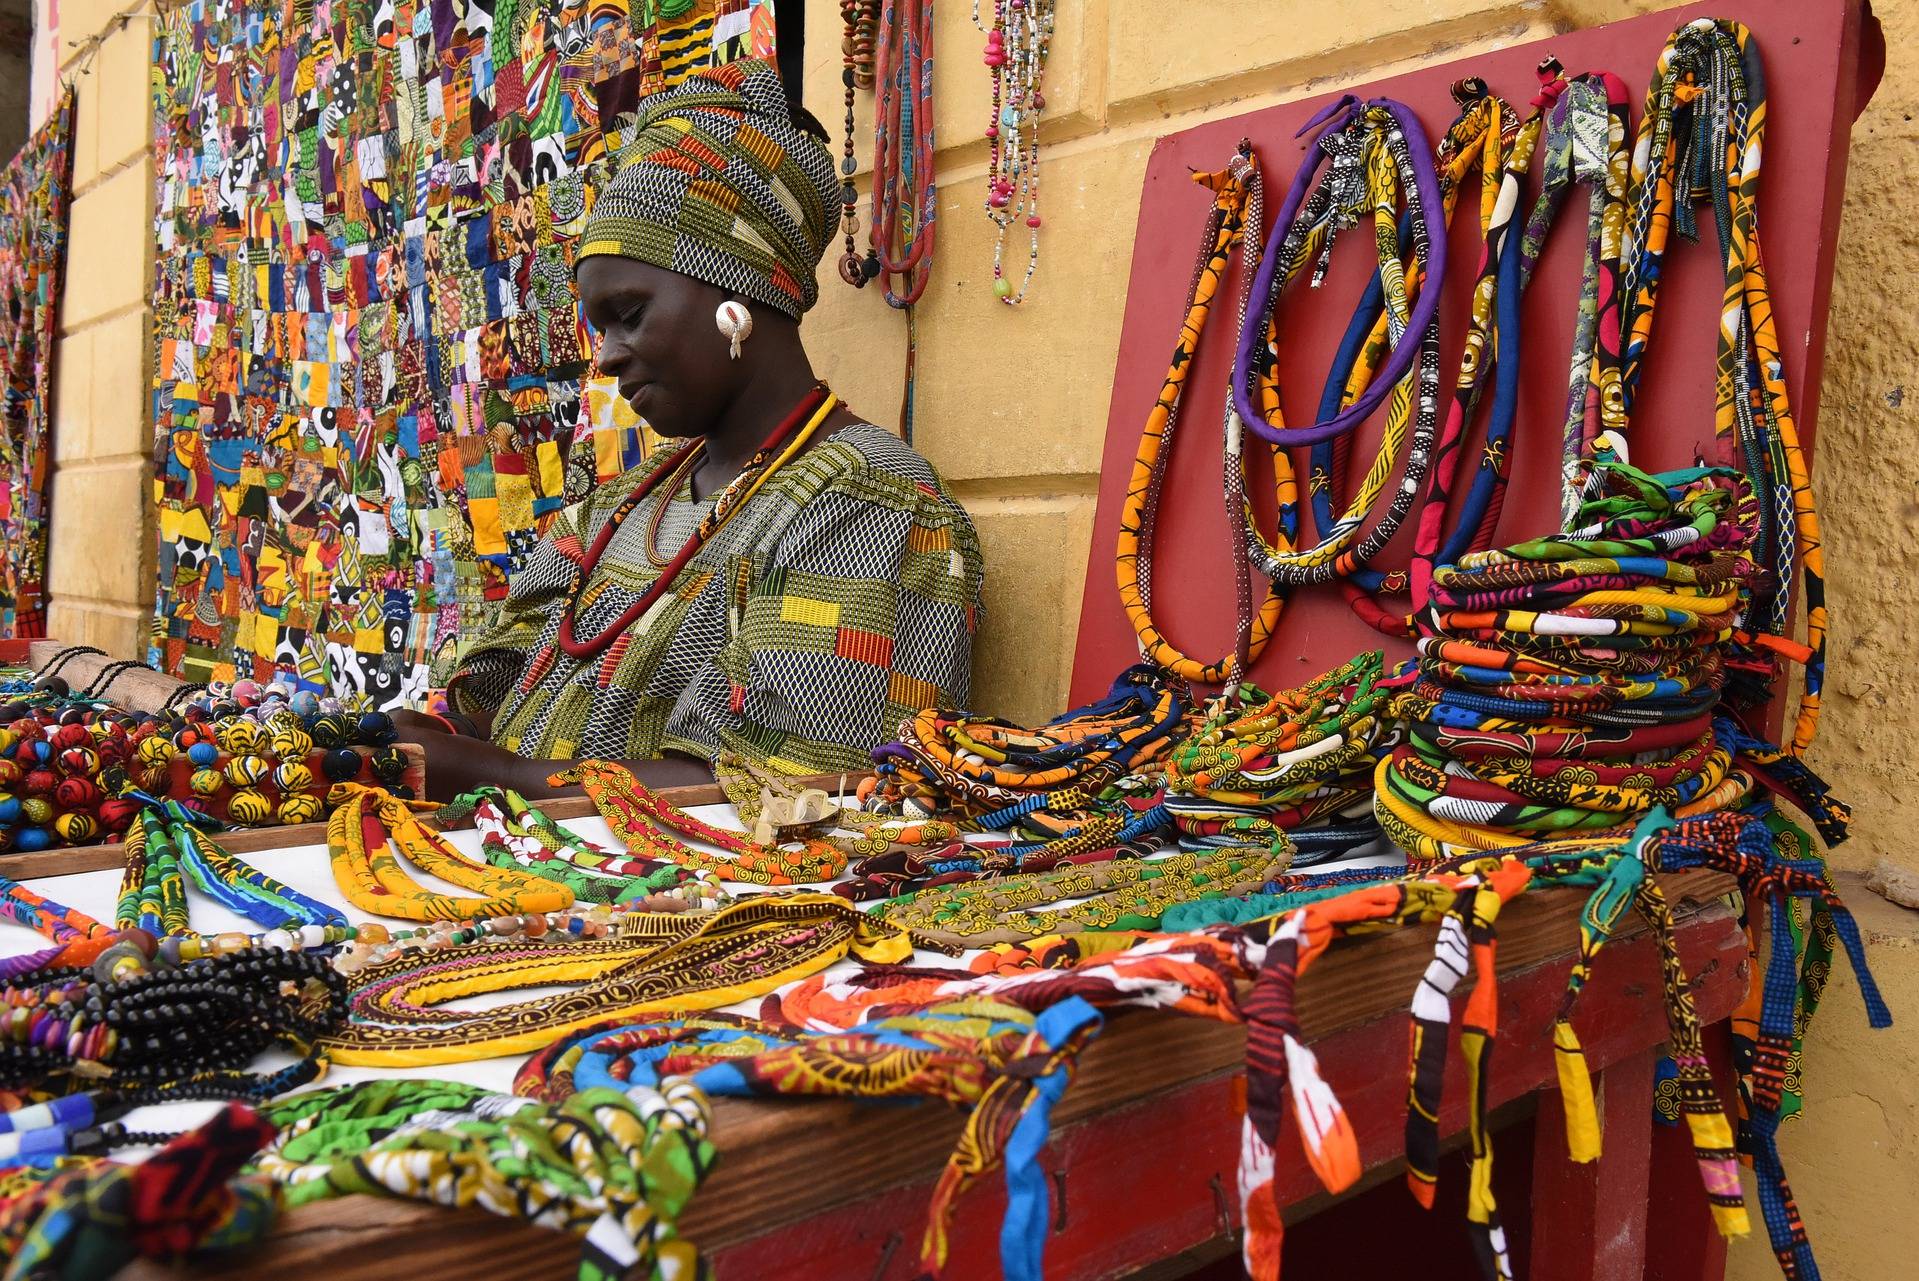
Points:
(1287, 772)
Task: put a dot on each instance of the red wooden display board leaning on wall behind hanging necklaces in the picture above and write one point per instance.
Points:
(1816, 83)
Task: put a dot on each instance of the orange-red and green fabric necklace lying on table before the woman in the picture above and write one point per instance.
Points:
(644, 822)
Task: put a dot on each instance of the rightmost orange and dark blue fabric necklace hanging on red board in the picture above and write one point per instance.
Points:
(1699, 139)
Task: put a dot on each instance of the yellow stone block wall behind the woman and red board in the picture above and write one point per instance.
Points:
(1014, 406)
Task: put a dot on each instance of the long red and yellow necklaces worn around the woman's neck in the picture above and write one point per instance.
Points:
(788, 440)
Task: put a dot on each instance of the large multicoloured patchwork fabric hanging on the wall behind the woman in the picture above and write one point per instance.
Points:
(373, 384)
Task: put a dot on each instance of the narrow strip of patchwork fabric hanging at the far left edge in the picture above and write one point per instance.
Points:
(36, 193)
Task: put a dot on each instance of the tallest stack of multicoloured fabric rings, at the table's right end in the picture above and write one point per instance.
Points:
(1567, 686)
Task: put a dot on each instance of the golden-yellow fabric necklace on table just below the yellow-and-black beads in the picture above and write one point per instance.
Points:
(371, 829)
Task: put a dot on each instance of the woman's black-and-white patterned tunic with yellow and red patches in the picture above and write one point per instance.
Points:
(838, 603)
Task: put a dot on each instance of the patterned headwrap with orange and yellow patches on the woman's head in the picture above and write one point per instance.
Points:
(721, 185)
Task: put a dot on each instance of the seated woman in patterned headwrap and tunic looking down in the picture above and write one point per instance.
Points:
(788, 582)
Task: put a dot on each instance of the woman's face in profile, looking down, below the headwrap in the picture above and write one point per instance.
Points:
(659, 340)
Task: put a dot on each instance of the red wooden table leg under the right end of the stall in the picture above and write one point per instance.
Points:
(1590, 1221)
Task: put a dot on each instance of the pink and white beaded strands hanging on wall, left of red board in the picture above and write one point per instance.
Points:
(1018, 47)
